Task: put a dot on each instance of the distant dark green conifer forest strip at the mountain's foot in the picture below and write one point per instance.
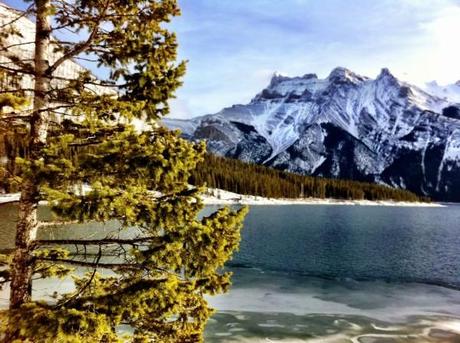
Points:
(252, 179)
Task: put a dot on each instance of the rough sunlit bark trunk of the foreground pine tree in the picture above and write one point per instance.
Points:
(21, 279)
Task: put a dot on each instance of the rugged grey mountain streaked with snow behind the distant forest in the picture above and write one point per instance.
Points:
(346, 126)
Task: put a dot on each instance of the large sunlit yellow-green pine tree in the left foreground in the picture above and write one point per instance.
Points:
(77, 135)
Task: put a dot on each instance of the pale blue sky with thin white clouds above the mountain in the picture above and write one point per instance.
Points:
(233, 47)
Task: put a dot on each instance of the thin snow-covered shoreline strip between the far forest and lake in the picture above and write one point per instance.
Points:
(221, 197)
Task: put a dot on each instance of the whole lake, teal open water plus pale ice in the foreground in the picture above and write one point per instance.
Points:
(334, 274)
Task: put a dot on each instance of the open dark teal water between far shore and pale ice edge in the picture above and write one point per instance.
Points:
(398, 244)
